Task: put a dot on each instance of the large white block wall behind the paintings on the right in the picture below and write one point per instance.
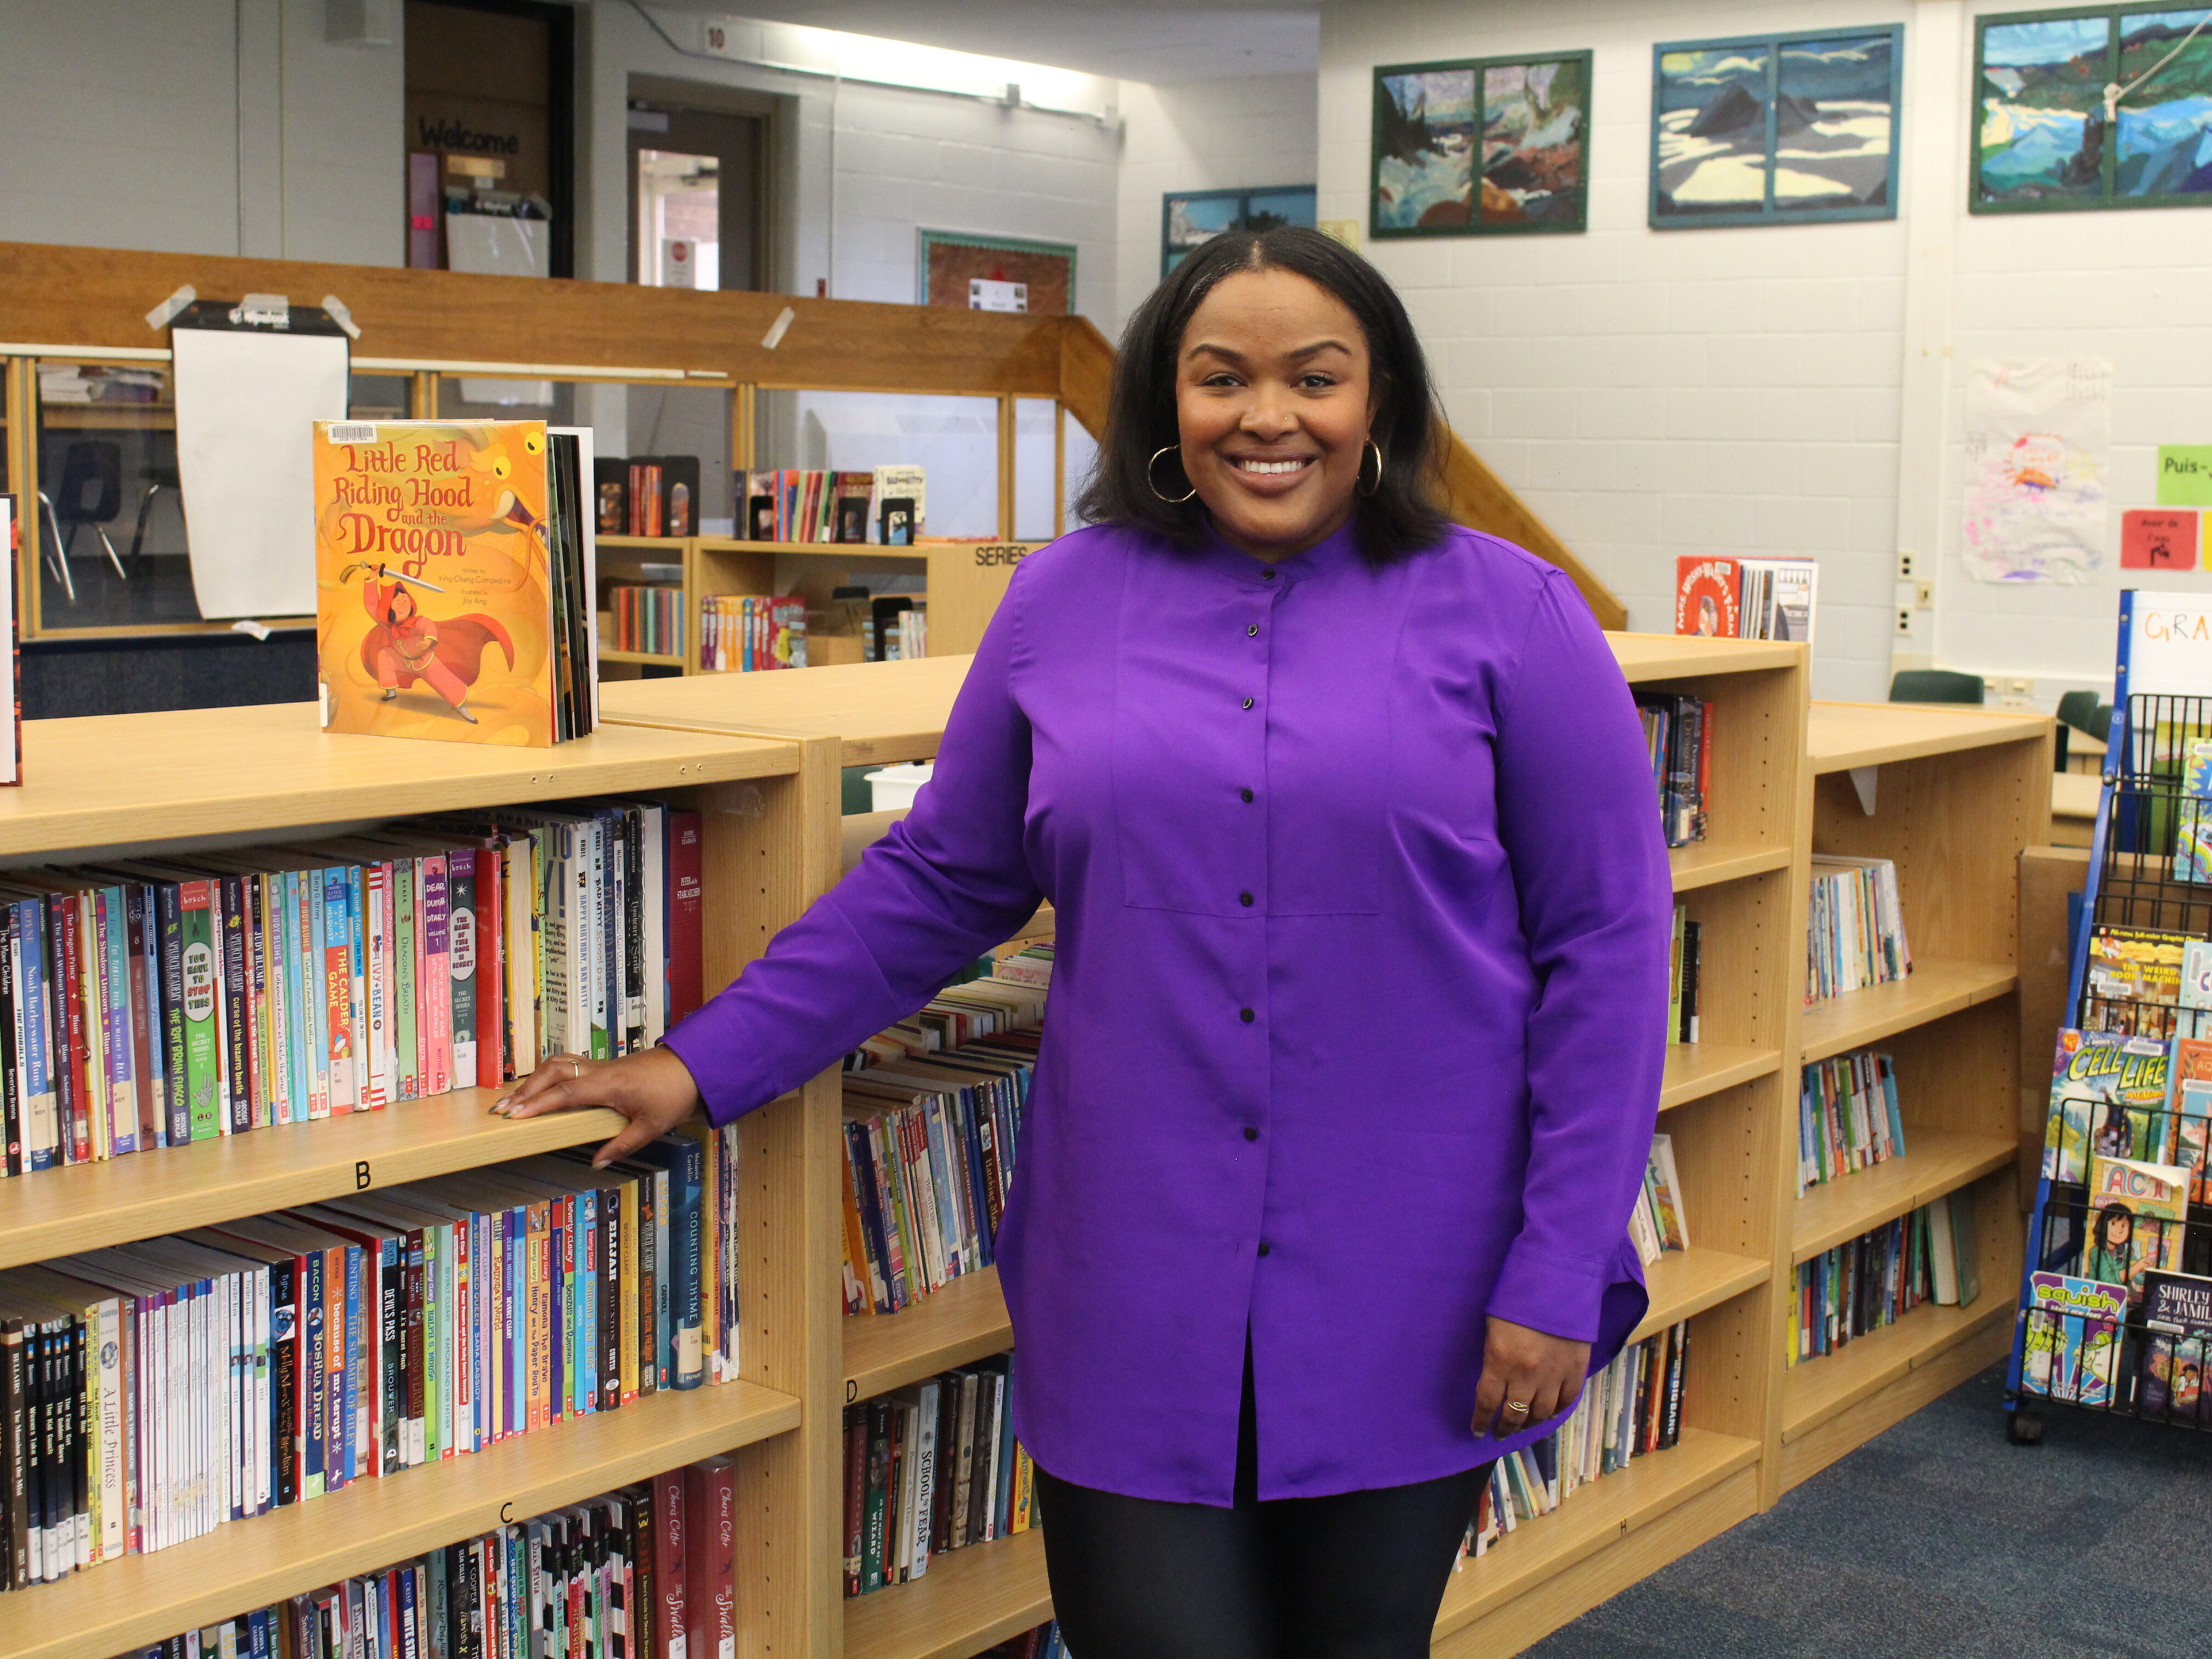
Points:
(1788, 390)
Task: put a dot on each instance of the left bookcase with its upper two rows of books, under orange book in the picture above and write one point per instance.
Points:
(260, 988)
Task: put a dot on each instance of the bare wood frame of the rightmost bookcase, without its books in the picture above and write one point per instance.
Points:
(1952, 795)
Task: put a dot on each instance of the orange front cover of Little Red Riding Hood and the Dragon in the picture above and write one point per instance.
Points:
(435, 587)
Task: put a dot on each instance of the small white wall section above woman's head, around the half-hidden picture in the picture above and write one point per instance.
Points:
(1204, 136)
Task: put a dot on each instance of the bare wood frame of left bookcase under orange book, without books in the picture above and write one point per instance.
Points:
(251, 775)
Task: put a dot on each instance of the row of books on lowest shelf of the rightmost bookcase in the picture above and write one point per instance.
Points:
(1926, 1258)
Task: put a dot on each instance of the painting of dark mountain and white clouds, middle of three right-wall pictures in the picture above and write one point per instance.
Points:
(1777, 129)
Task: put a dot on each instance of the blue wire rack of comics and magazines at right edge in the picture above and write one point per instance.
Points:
(2074, 1350)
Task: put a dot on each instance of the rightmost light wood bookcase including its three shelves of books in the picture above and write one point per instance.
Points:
(1906, 1213)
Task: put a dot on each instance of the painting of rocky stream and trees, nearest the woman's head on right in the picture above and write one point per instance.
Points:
(1481, 147)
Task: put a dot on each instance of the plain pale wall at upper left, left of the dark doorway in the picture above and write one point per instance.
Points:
(220, 127)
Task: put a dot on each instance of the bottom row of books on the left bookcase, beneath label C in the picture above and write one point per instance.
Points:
(636, 1574)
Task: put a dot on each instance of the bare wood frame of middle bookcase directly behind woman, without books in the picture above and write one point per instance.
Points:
(1729, 1103)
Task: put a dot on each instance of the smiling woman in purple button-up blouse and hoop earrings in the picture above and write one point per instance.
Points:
(1357, 1023)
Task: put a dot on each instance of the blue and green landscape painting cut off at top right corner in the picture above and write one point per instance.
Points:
(2105, 107)
